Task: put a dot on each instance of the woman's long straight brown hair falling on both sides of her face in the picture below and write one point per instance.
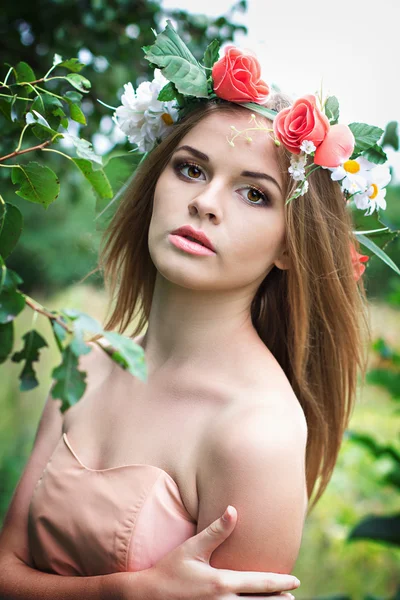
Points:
(321, 330)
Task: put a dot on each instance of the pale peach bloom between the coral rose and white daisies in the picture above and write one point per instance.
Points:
(336, 148)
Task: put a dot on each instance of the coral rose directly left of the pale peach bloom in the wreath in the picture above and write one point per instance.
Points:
(302, 121)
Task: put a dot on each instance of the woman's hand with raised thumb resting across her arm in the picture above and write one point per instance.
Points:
(185, 572)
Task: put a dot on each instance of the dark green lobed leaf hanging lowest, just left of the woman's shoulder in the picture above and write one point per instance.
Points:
(71, 383)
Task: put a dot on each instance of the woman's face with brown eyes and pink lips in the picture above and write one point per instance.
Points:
(214, 187)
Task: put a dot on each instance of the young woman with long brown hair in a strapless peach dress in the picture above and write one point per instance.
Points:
(253, 345)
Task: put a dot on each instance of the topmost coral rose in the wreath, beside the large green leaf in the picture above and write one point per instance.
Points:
(236, 77)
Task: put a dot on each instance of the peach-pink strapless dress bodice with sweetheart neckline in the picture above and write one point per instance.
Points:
(88, 522)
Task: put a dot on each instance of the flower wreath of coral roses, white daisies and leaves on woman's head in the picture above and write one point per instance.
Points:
(308, 129)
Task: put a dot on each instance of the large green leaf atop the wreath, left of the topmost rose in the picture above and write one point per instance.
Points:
(178, 64)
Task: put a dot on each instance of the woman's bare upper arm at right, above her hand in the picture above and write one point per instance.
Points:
(256, 462)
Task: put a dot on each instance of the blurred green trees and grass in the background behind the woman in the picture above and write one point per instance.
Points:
(59, 246)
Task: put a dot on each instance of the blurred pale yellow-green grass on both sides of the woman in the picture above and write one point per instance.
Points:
(327, 564)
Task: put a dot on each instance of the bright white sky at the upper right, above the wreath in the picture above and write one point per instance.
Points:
(352, 47)
